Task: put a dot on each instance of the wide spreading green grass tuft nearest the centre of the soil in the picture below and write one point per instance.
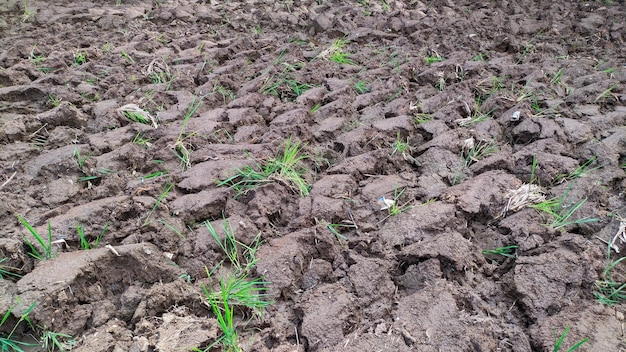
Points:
(285, 167)
